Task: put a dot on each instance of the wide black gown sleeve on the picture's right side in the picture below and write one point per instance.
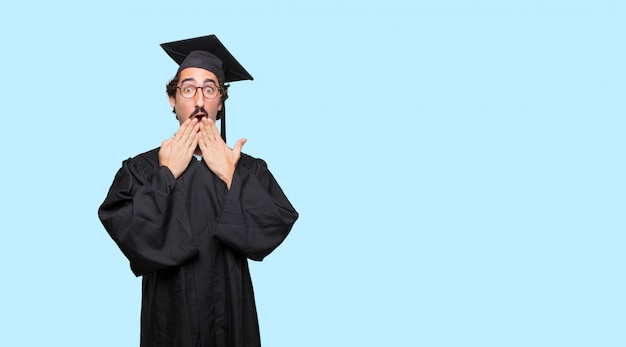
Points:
(257, 216)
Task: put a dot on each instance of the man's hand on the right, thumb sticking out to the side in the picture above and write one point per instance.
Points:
(216, 154)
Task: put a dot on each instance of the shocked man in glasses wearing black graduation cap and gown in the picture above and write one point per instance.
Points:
(187, 215)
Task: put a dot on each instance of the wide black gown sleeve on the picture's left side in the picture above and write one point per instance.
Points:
(145, 216)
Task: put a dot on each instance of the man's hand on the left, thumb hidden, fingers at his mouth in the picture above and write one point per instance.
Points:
(176, 152)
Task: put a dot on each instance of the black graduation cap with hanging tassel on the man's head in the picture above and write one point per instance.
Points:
(207, 52)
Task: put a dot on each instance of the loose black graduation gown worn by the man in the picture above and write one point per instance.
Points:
(190, 239)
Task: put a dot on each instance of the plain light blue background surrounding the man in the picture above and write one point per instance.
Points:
(458, 165)
